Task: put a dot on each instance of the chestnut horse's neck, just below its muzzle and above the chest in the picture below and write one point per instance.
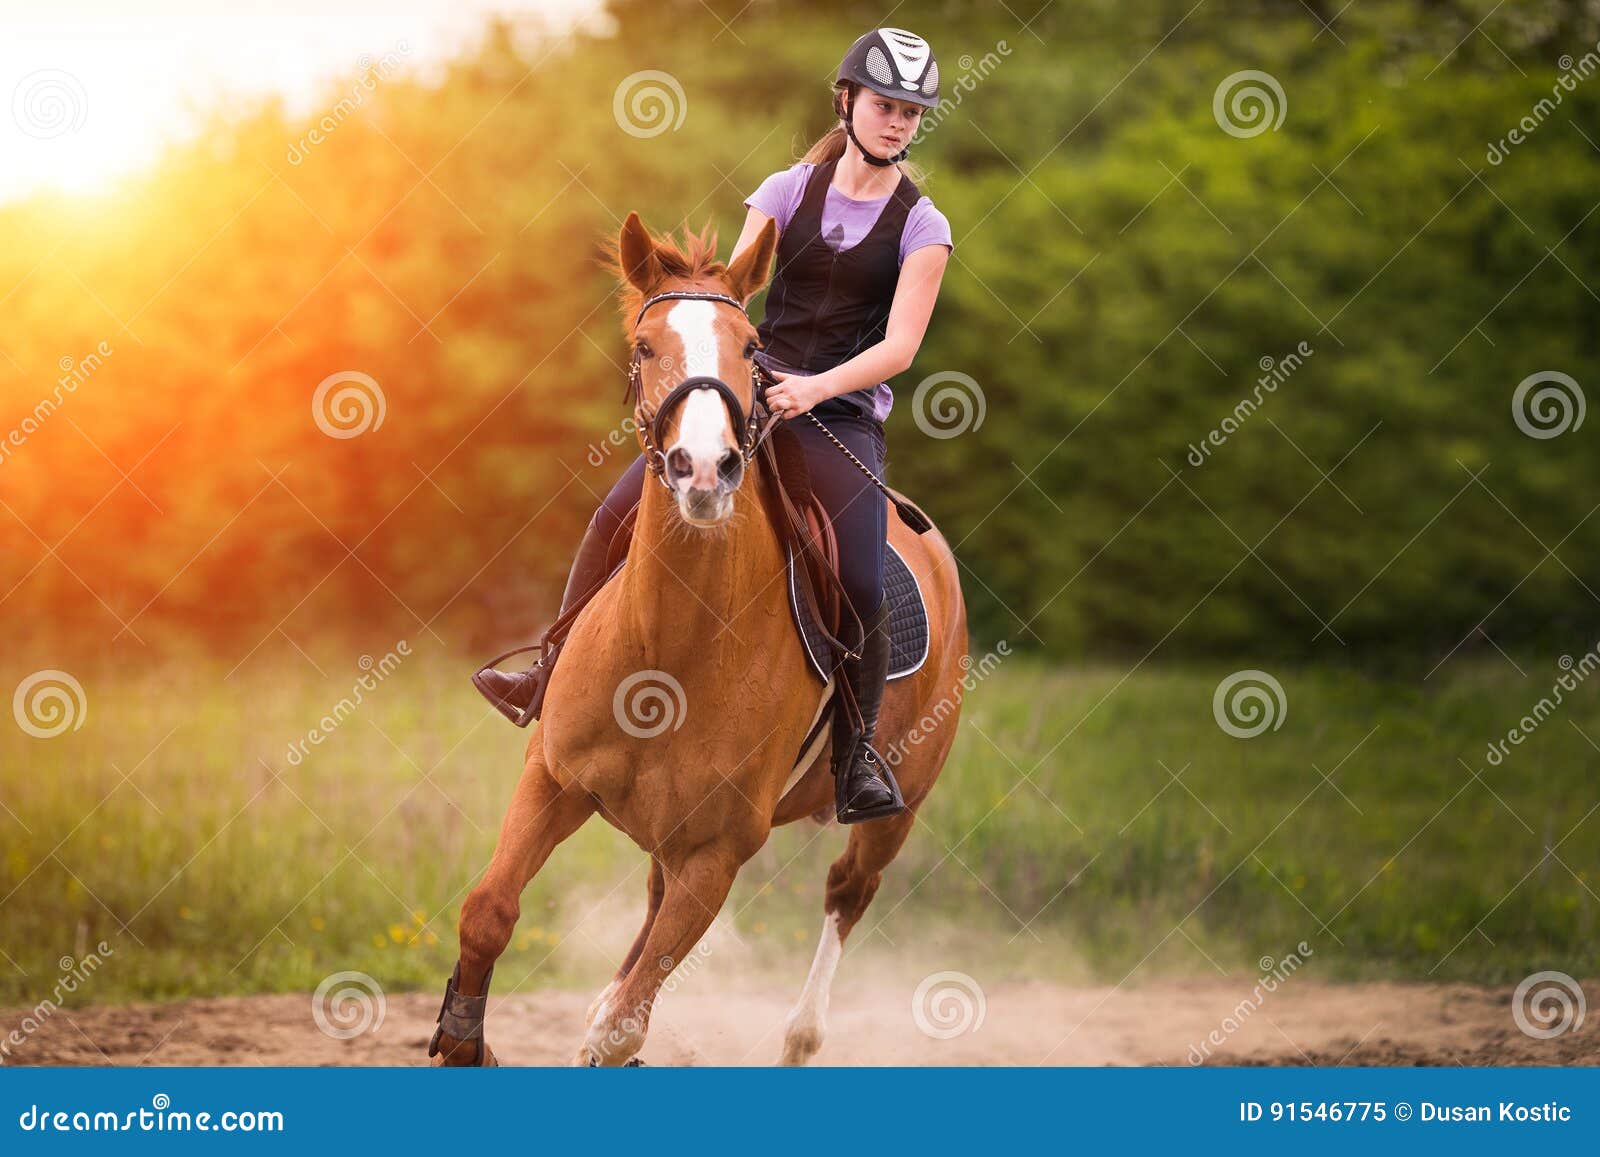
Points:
(686, 585)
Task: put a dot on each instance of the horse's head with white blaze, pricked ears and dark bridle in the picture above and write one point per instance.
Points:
(694, 361)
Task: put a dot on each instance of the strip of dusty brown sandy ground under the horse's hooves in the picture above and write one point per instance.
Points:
(1025, 1025)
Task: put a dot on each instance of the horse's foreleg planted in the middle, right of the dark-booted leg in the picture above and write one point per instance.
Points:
(690, 902)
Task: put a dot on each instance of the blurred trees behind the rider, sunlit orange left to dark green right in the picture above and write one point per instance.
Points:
(1122, 270)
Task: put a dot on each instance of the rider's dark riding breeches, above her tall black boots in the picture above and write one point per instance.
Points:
(855, 506)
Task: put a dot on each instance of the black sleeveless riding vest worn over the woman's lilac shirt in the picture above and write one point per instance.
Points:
(826, 306)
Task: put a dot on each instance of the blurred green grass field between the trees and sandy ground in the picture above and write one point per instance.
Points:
(174, 827)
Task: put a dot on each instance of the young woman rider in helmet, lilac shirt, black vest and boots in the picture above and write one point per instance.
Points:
(862, 255)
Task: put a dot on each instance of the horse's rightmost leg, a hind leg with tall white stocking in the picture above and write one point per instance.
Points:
(852, 883)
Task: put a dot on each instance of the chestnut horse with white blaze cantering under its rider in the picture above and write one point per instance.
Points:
(684, 695)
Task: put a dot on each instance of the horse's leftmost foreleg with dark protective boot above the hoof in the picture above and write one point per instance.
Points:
(542, 815)
